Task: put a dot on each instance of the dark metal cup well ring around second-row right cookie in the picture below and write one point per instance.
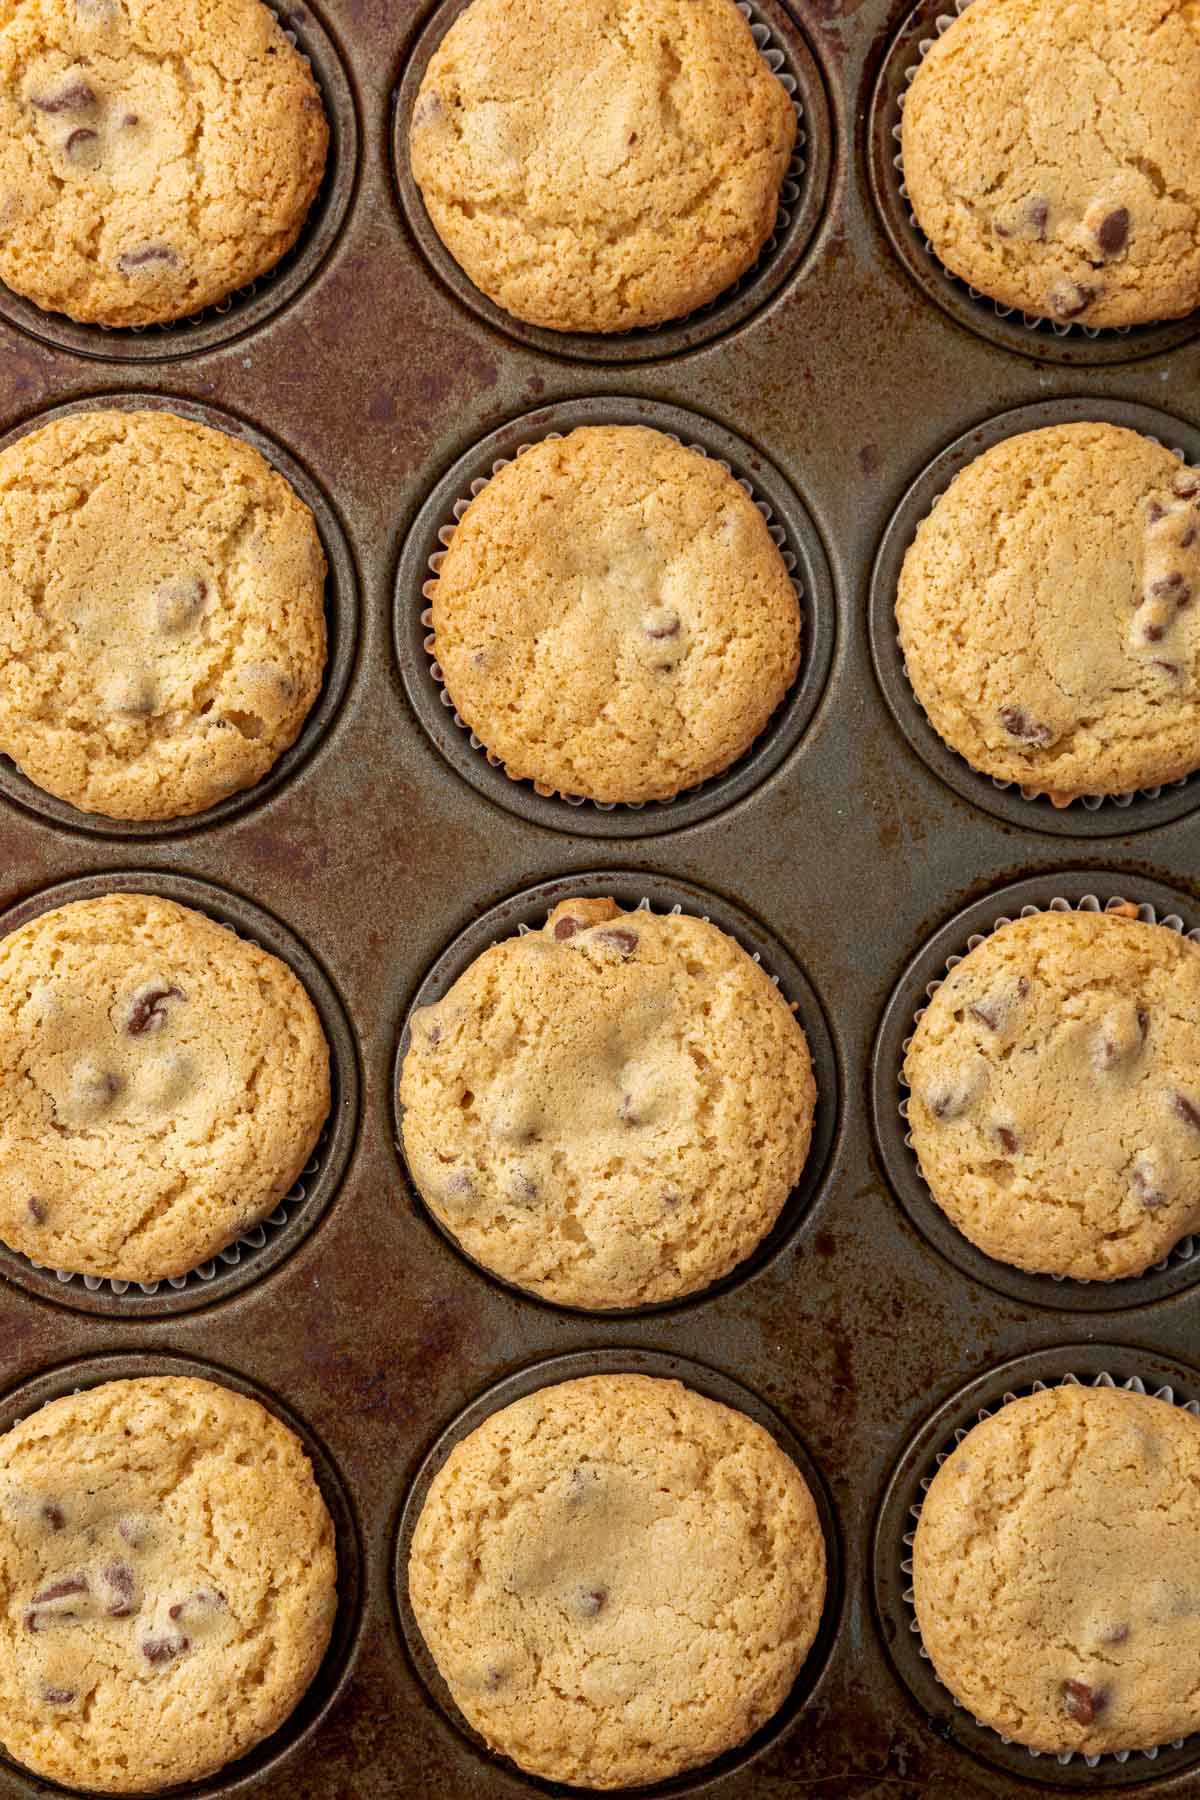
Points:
(1088, 816)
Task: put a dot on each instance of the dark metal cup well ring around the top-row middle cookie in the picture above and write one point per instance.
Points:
(801, 206)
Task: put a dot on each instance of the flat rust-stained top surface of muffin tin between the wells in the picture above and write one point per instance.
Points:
(377, 854)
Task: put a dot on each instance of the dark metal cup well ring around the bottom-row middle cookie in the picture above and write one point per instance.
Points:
(620, 1362)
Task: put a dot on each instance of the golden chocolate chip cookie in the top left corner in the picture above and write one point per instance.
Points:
(154, 154)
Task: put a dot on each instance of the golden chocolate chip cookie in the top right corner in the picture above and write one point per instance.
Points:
(1050, 156)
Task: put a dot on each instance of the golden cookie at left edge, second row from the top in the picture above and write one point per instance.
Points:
(163, 624)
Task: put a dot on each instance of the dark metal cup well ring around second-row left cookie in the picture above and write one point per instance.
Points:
(341, 625)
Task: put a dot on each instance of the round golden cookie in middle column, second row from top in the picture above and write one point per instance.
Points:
(613, 616)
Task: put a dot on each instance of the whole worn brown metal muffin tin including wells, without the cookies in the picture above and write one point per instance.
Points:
(850, 856)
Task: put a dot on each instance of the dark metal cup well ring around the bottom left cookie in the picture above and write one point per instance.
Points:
(328, 1686)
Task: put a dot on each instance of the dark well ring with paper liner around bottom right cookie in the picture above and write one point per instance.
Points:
(1107, 1369)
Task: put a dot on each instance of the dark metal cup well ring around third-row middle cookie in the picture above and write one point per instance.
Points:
(528, 912)
